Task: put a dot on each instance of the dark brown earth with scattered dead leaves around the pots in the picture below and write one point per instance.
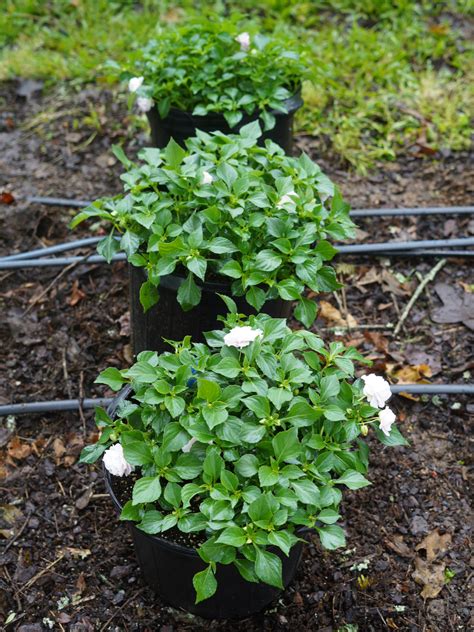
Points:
(67, 564)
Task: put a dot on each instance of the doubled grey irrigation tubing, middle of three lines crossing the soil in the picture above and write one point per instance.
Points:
(418, 248)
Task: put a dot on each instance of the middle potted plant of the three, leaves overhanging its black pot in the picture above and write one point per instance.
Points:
(224, 216)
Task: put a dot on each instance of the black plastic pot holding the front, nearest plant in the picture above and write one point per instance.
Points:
(168, 568)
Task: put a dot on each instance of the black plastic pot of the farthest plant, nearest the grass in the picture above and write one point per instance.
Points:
(182, 125)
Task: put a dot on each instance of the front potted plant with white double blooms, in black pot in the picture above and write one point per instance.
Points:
(223, 454)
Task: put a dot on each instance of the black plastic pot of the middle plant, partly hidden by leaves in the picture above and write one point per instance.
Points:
(166, 319)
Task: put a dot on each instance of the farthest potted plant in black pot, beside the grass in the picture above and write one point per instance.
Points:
(216, 75)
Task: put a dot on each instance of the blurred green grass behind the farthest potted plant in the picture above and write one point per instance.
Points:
(386, 74)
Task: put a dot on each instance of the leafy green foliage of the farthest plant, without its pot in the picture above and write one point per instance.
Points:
(199, 67)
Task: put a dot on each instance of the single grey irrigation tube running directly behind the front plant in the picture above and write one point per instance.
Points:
(76, 404)
